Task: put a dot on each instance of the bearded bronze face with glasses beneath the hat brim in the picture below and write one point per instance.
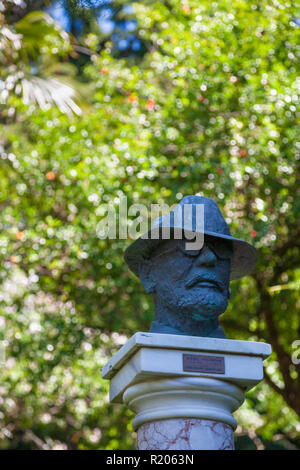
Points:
(189, 287)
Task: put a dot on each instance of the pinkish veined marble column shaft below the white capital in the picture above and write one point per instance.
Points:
(185, 434)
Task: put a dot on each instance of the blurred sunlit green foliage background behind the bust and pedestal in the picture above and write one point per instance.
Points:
(152, 100)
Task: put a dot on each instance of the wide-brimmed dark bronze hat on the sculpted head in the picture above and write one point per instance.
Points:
(244, 255)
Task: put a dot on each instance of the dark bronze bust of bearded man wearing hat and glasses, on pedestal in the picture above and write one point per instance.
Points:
(190, 286)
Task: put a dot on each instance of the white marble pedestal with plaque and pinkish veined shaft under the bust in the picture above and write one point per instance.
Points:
(184, 389)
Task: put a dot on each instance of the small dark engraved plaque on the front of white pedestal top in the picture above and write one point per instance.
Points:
(202, 363)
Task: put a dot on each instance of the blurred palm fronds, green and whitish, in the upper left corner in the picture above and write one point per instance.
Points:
(28, 50)
